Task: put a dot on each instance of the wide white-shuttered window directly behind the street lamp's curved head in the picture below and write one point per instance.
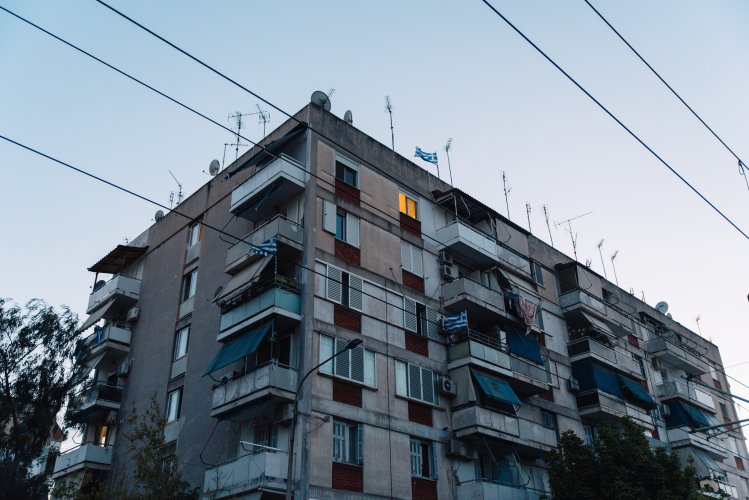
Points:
(357, 364)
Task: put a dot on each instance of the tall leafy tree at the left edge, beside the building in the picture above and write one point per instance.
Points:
(37, 371)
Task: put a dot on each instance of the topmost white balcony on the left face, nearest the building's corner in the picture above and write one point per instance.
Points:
(281, 179)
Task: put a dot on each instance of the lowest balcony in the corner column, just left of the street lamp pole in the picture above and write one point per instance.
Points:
(261, 472)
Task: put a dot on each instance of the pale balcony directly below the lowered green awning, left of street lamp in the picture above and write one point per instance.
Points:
(271, 381)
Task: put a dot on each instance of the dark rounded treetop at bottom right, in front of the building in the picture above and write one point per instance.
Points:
(619, 465)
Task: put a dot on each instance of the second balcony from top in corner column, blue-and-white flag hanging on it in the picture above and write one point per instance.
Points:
(239, 254)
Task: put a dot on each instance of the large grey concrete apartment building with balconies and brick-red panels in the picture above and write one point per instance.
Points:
(327, 236)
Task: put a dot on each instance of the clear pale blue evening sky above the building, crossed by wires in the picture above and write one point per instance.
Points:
(453, 69)
